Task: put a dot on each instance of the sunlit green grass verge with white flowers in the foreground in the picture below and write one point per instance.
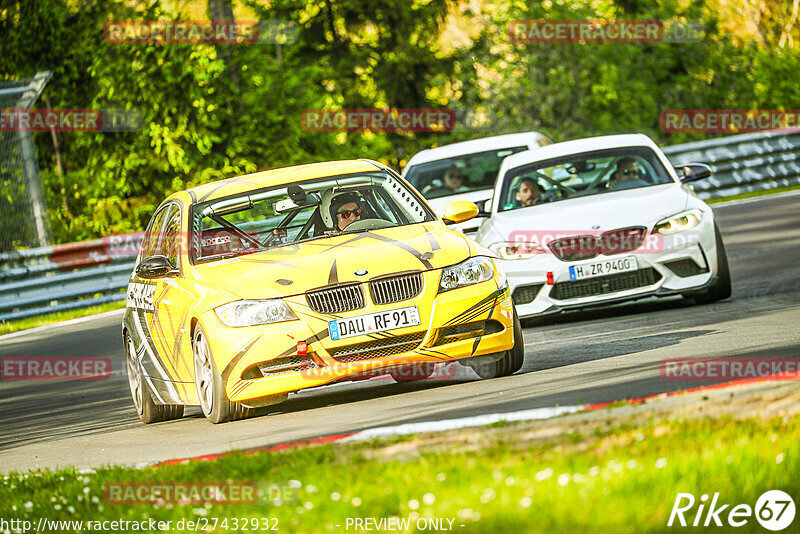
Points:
(615, 474)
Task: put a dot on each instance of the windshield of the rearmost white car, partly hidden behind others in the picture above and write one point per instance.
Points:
(459, 174)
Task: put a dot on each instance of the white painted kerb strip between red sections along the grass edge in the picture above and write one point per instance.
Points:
(464, 422)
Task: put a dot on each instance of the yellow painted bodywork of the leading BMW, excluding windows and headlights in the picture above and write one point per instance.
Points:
(162, 313)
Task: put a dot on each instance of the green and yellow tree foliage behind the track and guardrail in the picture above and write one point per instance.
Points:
(214, 111)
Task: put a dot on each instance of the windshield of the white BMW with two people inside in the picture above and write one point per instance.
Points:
(590, 173)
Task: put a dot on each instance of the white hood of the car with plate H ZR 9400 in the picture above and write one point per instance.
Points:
(635, 207)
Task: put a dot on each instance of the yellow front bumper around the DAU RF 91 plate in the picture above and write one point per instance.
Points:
(239, 352)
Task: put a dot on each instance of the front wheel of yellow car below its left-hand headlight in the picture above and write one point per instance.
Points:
(210, 388)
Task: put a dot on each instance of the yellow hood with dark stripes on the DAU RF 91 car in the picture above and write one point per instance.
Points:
(294, 269)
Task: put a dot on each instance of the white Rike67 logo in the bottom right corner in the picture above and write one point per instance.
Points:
(774, 510)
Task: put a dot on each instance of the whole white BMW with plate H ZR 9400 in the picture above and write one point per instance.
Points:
(602, 220)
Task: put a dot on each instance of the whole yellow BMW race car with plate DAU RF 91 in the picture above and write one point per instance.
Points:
(250, 288)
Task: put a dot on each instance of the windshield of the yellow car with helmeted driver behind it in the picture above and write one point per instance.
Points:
(314, 209)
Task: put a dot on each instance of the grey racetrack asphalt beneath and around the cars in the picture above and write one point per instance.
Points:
(579, 358)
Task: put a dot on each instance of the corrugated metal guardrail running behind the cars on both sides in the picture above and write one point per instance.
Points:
(50, 279)
